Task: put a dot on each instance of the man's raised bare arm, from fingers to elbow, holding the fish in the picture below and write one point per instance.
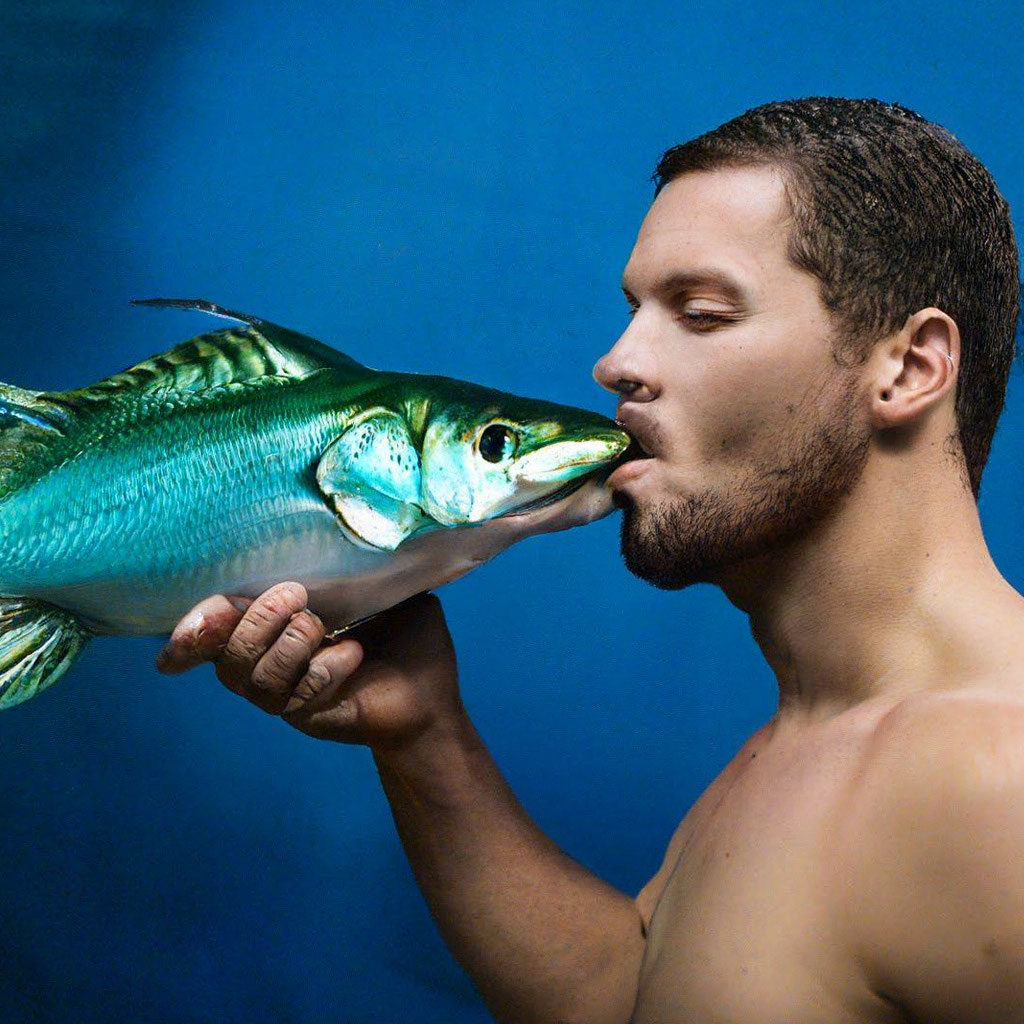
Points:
(544, 940)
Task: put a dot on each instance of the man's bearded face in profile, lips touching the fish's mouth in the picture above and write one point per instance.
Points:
(728, 379)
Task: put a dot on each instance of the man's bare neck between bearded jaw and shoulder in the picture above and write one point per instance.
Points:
(893, 594)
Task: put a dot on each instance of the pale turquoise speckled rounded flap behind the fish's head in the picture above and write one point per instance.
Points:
(371, 477)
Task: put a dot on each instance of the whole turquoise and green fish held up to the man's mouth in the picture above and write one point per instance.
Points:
(253, 455)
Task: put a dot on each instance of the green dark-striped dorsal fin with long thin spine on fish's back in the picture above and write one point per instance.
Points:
(230, 357)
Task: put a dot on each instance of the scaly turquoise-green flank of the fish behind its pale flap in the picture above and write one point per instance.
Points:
(144, 514)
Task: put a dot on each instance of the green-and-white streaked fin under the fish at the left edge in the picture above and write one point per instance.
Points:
(38, 644)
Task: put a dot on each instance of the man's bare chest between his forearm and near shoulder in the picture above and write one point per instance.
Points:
(749, 927)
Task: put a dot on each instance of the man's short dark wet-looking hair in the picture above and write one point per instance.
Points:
(892, 215)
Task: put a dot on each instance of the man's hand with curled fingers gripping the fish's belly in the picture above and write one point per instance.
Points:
(383, 686)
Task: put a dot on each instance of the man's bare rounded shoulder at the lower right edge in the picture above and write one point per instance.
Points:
(936, 823)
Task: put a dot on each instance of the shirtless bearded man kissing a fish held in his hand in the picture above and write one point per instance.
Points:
(825, 295)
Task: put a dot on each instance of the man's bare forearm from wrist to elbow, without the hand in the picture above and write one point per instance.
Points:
(544, 940)
